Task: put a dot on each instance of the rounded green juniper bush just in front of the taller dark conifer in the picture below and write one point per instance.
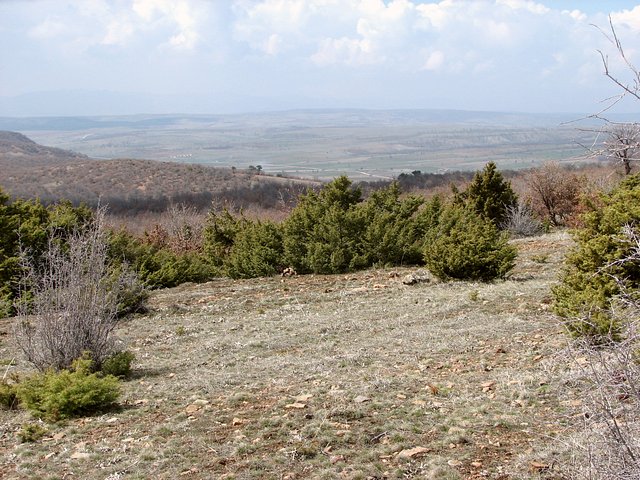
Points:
(466, 246)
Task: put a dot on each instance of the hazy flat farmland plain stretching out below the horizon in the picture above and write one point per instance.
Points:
(321, 144)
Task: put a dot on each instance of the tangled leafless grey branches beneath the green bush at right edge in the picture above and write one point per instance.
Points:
(608, 379)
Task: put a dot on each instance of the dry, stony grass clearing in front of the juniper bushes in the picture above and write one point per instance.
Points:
(325, 377)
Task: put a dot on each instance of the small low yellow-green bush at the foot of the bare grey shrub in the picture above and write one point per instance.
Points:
(55, 395)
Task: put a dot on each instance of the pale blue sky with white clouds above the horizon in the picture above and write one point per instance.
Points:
(102, 57)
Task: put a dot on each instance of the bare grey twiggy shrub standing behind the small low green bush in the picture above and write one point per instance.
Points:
(68, 306)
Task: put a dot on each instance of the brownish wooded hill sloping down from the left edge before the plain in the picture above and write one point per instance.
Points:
(30, 170)
